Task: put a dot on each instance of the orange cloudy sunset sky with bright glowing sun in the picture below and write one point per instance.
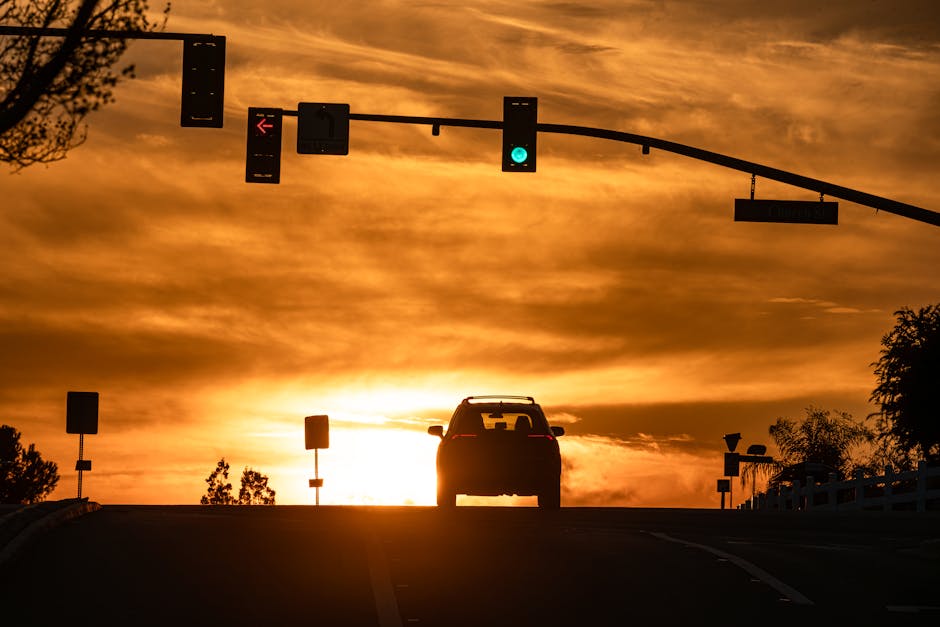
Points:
(383, 287)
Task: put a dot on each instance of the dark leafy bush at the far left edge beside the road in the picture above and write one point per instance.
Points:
(24, 476)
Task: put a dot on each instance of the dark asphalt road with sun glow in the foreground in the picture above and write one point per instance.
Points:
(285, 566)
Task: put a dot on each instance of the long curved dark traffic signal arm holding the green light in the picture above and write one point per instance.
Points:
(755, 169)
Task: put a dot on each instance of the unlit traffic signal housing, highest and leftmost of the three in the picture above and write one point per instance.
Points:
(203, 82)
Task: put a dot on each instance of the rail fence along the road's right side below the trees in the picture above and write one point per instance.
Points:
(914, 490)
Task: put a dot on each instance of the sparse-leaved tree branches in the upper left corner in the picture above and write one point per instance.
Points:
(49, 84)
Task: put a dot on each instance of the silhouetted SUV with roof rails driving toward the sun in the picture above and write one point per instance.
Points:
(498, 445)
